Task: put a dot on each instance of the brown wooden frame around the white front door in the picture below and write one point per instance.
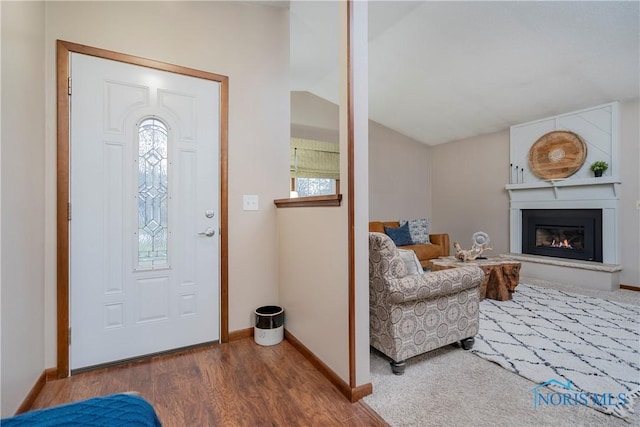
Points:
(64, 49)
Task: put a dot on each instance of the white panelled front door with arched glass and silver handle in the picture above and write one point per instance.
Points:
(144, 247)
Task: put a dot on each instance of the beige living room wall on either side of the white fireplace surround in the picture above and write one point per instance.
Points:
(468, 194)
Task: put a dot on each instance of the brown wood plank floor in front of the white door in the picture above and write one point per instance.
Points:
(234, 384)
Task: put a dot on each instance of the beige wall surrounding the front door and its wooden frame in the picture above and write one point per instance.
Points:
(248, 43)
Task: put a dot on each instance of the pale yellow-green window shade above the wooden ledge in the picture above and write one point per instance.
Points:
(315, 159)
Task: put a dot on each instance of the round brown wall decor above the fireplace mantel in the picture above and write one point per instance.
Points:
(557, 154)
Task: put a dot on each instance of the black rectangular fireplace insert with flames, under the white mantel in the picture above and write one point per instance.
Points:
(563, 233)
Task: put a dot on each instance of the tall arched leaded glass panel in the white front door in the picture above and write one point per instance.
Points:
(153, 199)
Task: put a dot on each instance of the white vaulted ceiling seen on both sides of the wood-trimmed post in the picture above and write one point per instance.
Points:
(444, 71)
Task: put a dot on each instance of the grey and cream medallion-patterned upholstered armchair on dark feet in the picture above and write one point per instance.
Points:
(413, 314)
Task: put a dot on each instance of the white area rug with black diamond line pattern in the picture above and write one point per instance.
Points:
(579, 349)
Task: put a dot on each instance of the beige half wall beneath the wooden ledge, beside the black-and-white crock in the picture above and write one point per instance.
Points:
(314, 281)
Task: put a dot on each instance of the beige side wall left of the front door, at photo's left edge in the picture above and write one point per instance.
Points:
(22, 177)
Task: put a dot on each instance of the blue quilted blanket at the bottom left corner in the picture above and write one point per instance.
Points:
(115, 410)
